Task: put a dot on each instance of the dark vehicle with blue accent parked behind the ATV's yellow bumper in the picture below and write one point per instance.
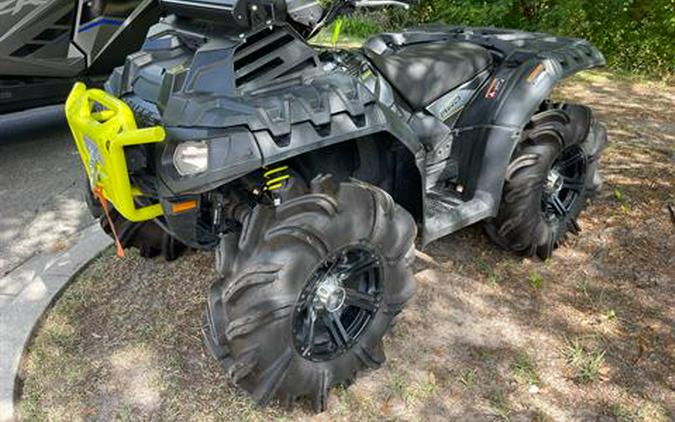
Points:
(47, 45)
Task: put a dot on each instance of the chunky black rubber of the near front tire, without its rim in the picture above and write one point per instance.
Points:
(249, 320)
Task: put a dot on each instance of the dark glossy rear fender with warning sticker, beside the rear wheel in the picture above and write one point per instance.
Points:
(483, 145)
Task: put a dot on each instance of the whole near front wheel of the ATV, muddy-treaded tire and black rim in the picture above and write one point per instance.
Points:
(315, 286)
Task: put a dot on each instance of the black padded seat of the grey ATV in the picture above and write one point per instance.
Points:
(424, 72)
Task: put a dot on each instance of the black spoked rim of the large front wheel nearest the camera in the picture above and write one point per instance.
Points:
(338, 303)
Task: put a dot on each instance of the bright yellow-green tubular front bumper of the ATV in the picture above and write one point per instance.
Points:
(100, 137)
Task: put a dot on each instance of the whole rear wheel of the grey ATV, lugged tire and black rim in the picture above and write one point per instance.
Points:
(551, 174)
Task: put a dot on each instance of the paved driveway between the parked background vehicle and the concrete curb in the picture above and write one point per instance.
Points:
(40, 186)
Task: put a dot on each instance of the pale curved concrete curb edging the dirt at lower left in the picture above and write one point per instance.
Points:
(34, 285)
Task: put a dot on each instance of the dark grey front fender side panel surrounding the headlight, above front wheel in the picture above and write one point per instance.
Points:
(237, 151)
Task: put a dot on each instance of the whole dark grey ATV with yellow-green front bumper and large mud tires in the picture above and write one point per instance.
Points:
(308, 170)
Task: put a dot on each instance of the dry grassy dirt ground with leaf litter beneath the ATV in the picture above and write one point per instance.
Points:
(588, 335)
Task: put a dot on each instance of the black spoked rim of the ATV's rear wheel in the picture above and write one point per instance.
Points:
(565, 184)
